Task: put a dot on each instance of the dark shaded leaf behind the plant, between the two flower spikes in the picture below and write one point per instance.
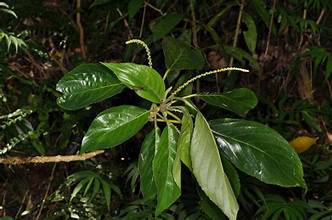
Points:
(180, 56)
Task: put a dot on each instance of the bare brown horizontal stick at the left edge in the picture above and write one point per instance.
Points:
(49, 159)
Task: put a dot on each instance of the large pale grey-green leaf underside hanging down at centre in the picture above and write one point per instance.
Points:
(208, 169)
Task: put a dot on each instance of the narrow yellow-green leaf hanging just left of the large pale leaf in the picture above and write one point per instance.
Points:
(185, 138)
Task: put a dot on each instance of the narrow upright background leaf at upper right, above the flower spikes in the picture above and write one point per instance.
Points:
(250, 36)
